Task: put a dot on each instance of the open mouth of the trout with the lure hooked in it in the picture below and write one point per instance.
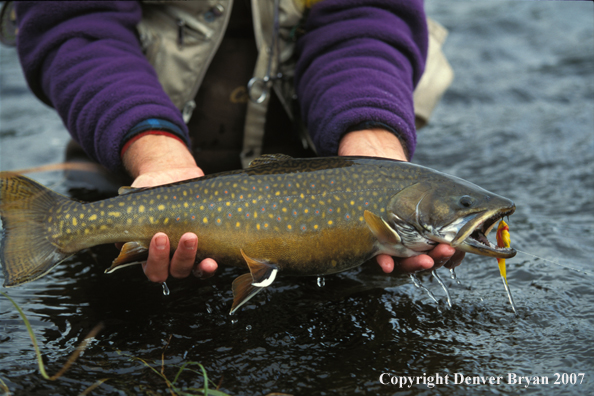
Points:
(472, 237)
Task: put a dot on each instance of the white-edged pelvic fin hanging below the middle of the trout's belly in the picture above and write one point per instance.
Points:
(246, 286)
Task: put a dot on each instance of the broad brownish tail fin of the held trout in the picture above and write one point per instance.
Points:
(27, 249)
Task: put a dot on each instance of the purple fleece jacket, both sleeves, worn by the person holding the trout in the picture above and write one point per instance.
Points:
(358, 64)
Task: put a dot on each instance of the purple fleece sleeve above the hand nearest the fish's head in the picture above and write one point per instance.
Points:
(358, 64)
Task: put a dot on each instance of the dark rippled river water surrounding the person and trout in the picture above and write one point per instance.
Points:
(518, 120)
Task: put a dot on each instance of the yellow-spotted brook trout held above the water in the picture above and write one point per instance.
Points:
(313, 216)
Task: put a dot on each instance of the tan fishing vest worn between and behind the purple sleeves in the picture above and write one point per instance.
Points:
(180, 38)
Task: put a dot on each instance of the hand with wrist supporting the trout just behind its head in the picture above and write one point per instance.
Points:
(381, 143)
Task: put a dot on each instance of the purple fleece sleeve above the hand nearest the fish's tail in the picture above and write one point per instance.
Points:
(85, 59)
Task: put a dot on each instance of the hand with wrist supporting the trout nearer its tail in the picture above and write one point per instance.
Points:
(155, 160)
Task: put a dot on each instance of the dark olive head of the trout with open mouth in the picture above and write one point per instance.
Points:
(446, 209)
